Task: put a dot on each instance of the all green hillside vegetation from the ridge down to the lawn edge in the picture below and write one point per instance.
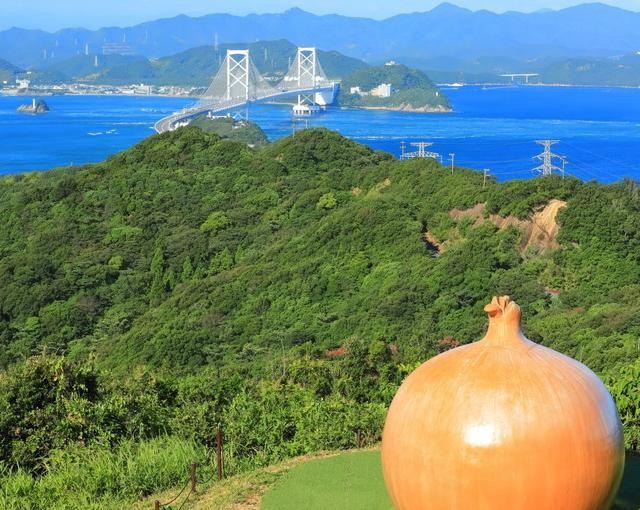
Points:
(281, 293)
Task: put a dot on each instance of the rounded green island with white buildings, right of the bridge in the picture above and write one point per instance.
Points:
(392, 87)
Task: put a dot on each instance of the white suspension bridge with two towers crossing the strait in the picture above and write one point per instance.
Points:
(239, 83)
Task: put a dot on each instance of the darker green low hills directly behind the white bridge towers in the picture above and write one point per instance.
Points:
(194, 67)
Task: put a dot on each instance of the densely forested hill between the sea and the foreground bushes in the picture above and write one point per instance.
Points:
(186, 249)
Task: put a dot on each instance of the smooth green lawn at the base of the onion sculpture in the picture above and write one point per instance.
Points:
(353, 481)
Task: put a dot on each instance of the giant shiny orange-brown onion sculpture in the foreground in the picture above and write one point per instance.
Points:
(502, 423)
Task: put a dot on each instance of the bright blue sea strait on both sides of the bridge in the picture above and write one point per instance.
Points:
(492, 128)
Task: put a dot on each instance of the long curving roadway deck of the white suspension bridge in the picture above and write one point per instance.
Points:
(177, 119)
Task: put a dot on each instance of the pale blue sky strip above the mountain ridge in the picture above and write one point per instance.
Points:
(55, 14)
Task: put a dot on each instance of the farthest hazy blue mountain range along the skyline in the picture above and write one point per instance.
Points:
(447, 30)
